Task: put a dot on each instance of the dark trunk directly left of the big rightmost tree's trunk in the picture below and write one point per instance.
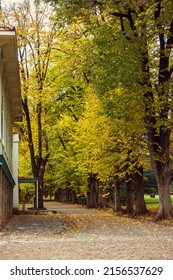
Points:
(140, 205)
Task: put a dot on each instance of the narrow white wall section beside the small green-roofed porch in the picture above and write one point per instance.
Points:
(15, 170)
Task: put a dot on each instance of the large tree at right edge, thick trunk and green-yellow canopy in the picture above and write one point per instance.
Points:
(133, 49)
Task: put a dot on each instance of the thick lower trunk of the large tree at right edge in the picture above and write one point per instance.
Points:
(161, 164)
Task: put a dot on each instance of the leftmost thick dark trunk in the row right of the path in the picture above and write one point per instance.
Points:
(91, 193)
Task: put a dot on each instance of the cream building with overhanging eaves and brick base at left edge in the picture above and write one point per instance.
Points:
(10, 112)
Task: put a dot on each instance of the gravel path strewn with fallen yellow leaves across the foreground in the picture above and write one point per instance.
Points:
(77, 233)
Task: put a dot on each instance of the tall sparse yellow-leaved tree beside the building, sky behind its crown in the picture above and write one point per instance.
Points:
(36, 30)
